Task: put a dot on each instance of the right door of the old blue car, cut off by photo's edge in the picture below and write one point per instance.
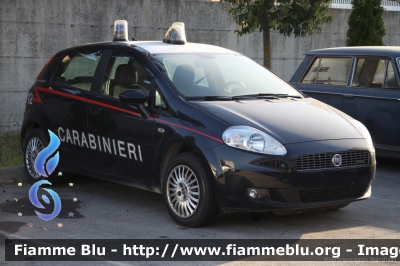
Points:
(373, 99)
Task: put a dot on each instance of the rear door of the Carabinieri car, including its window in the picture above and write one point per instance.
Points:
(67, 101)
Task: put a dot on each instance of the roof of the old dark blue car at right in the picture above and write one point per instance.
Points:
(359, 50)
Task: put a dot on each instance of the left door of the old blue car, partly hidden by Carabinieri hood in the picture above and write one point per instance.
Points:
(326, 79)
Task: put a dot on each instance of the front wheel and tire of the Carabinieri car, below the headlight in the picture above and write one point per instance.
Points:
(180, 194)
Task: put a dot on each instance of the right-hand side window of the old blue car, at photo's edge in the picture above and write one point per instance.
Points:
(375, 73)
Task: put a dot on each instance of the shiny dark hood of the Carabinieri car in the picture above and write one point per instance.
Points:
(289, 120)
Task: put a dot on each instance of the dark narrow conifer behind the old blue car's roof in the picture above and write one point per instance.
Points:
(366, 25)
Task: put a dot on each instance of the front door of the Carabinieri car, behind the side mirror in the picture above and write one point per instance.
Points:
(124, 147)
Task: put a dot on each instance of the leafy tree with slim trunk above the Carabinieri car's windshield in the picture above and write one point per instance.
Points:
(298, 17)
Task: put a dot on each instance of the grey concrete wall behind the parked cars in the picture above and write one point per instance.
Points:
(32, 31)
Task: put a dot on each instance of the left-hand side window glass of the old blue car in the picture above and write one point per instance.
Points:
(328, 71)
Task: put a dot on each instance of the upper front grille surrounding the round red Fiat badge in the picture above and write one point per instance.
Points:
(324, 160)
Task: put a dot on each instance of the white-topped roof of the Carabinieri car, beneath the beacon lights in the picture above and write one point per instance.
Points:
(159, 47)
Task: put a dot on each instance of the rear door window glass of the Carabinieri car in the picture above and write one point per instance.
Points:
(77, 69)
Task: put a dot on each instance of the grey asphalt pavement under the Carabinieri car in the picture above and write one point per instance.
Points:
(107, 210)
